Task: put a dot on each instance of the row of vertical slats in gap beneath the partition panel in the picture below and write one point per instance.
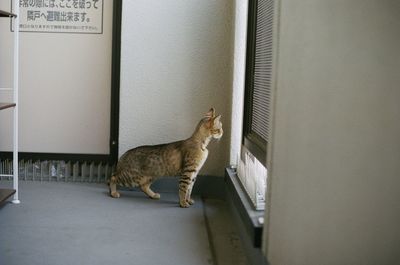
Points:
(58, 171)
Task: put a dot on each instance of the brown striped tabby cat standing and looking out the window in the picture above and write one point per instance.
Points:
(142, 165)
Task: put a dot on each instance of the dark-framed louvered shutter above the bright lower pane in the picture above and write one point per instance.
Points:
(258, 77)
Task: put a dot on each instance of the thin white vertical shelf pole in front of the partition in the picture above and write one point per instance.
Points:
(16, 69)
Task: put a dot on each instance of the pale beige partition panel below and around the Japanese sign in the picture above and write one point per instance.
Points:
(65, 84)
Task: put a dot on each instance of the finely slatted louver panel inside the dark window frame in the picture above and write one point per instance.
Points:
(263, 70)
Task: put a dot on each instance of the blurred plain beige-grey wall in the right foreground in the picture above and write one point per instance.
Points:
(336, 150)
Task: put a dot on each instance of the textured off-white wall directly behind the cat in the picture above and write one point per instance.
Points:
(176, 62)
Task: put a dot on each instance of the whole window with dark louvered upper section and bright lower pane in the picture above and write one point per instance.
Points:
(257, 115)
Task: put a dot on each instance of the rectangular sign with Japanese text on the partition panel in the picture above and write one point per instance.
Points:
(61, 16)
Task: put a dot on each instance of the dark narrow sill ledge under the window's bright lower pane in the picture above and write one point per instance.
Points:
(251, 219)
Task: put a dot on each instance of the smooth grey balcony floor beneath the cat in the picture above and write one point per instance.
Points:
(78, 223)
